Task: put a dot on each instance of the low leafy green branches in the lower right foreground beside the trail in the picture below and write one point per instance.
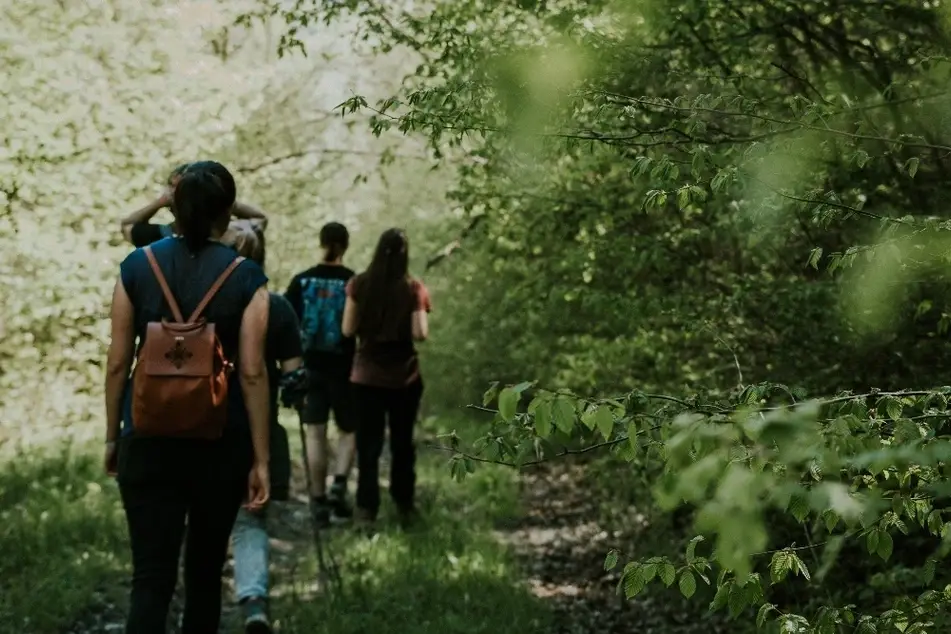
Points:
(854, 469)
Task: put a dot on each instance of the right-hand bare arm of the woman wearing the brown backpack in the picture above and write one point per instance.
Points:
(253, 372)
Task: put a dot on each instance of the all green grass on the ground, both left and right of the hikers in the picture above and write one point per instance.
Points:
(65, 552)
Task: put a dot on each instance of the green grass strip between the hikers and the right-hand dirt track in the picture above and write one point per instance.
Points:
(449, 576)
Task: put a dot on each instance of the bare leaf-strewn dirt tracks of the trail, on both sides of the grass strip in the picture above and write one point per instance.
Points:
(558, 541)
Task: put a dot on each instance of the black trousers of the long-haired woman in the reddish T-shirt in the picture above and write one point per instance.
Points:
(378, 407)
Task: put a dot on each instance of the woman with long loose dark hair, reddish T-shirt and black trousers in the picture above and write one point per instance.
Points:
(387, 311)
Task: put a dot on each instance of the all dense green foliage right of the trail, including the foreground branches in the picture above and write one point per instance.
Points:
(719, 199)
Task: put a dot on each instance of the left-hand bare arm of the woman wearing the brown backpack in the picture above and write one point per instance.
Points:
(119, 359)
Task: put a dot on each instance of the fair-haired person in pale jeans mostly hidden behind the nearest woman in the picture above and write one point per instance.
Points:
(282, 353)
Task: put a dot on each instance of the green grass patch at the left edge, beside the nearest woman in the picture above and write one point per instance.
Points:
(62, 540)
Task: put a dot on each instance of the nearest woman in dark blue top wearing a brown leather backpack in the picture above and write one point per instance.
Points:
(195, 441)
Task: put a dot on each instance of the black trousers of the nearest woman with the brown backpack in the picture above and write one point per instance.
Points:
(163, 484)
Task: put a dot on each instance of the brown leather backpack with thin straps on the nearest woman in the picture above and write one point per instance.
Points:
(180, 380)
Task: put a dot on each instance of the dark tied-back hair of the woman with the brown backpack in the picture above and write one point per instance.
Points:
(203, 200)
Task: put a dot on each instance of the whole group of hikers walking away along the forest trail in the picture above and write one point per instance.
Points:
(200, 354)
